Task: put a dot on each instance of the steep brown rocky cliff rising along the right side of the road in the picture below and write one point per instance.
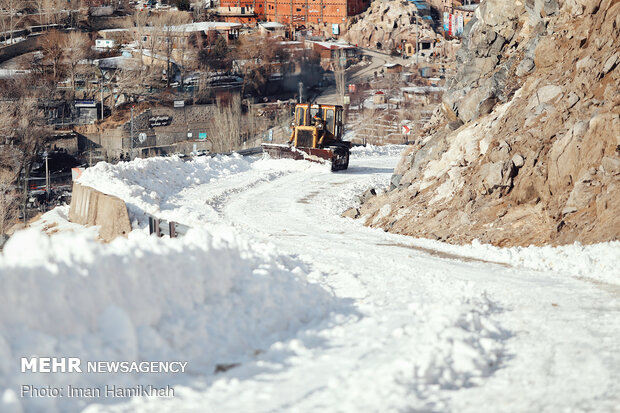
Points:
(526, 147)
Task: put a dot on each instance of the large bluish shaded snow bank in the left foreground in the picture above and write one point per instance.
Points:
(207, 298)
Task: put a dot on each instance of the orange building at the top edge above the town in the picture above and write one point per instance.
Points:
(302, 12)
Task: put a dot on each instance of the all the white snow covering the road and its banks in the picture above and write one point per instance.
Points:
(316, 312)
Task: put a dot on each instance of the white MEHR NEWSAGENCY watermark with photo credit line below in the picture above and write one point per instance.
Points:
(75, 365)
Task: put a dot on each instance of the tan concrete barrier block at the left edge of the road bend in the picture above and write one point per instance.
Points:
(91, 207)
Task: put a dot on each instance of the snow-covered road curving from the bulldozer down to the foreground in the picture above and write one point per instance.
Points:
(430, 333)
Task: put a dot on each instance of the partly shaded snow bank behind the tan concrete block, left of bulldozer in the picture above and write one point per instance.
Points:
(173, 189)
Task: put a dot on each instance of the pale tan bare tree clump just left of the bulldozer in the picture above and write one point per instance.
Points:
(226, 125)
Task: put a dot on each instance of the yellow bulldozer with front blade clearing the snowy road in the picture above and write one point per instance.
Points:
(317, 136)
